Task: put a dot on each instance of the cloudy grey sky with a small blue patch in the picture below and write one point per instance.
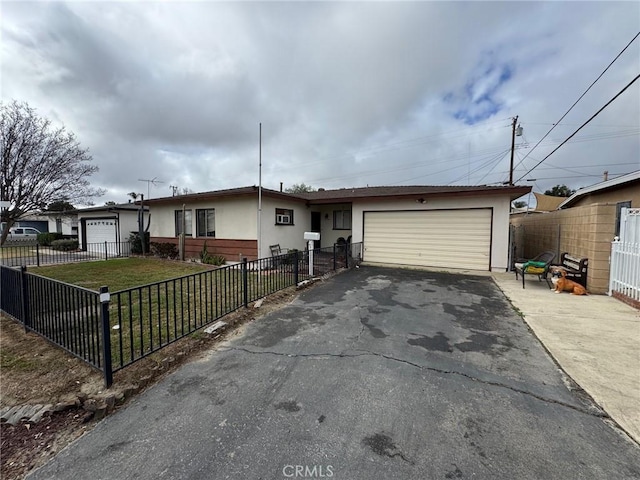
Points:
(348, 93)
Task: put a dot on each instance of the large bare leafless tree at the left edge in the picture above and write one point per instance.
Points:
(40, 164)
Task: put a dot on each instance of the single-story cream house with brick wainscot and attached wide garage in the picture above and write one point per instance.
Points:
(432, 226)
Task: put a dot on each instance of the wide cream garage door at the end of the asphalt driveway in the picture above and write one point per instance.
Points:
(429, 238)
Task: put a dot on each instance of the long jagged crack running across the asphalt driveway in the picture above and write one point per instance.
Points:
(594, 411)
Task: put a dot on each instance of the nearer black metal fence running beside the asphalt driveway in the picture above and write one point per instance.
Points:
(111, 330)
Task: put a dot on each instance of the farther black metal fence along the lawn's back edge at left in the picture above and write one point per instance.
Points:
(33, 254)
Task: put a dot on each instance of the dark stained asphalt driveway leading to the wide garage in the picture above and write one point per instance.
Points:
(374, 374)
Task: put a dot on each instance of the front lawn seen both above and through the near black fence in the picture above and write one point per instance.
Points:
(153, 302)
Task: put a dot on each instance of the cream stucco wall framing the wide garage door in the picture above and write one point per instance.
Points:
(500, 224)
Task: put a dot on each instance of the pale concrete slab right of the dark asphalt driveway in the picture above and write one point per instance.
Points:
(595, 339)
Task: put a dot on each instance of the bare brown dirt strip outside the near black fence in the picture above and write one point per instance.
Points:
(33, 371)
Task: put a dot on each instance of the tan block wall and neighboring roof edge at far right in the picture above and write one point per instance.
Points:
(584, 225)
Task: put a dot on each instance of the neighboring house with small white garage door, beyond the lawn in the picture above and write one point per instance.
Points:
(108, 223)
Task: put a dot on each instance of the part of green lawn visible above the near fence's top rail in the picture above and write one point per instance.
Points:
(117, 274)
